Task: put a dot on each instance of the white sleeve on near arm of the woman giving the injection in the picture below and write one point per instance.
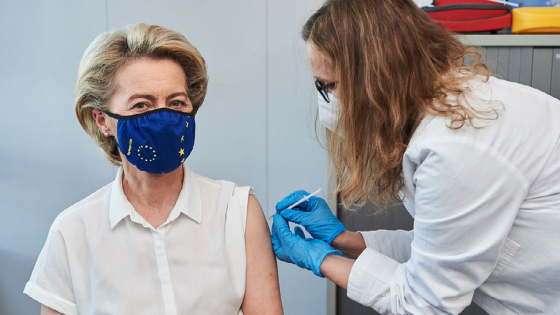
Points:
(467, 196)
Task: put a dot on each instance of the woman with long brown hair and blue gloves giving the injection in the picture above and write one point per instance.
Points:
(474, 159)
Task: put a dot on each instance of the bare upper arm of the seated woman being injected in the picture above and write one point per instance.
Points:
(262, 292)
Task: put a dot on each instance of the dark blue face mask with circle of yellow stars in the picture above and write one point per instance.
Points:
(157, 141)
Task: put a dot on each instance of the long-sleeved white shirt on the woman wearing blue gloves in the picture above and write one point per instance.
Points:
(486, 208)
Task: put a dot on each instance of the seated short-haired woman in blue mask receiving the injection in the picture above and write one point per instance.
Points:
(160, 239)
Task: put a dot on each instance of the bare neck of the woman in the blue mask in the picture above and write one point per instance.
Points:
(153, 196)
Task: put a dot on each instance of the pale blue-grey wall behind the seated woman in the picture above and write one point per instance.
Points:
(256, 126)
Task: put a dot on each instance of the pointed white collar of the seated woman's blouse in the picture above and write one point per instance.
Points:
(189, 201)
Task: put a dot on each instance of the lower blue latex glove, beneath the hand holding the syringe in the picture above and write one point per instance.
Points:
(306, 253)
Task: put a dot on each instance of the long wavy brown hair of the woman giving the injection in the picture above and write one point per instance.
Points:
(394, 65)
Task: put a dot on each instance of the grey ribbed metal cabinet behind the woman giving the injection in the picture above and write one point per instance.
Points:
(533, 60)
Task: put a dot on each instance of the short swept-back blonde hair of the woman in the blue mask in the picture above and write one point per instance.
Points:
(110, 51)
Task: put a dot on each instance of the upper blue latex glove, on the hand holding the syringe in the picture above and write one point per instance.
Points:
(314, 214)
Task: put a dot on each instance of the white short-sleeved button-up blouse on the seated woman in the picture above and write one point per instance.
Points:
(102, 257)
